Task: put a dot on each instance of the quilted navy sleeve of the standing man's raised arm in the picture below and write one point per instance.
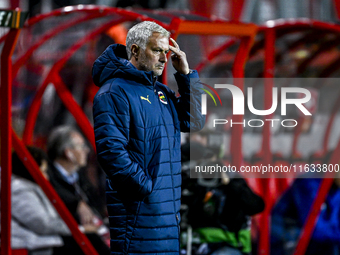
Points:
(188, 105)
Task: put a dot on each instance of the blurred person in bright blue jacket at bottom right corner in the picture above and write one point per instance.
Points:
(292, 209)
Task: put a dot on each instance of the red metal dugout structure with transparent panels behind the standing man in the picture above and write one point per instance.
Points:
(51, 57)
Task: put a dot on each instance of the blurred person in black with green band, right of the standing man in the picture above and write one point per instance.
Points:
(219, 206)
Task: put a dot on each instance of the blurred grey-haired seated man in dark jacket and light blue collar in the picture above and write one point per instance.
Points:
(68, 152)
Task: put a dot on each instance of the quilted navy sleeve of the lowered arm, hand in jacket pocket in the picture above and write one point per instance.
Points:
(111, 127)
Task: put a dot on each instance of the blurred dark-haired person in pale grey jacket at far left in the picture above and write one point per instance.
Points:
(36, 226)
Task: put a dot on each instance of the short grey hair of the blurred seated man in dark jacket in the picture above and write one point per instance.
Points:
(59, 140)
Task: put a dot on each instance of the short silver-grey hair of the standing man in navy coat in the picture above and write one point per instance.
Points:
(139, 34)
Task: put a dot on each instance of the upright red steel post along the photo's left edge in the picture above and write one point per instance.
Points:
(6, 141)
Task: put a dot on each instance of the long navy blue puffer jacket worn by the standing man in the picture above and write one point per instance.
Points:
(137, 123)
